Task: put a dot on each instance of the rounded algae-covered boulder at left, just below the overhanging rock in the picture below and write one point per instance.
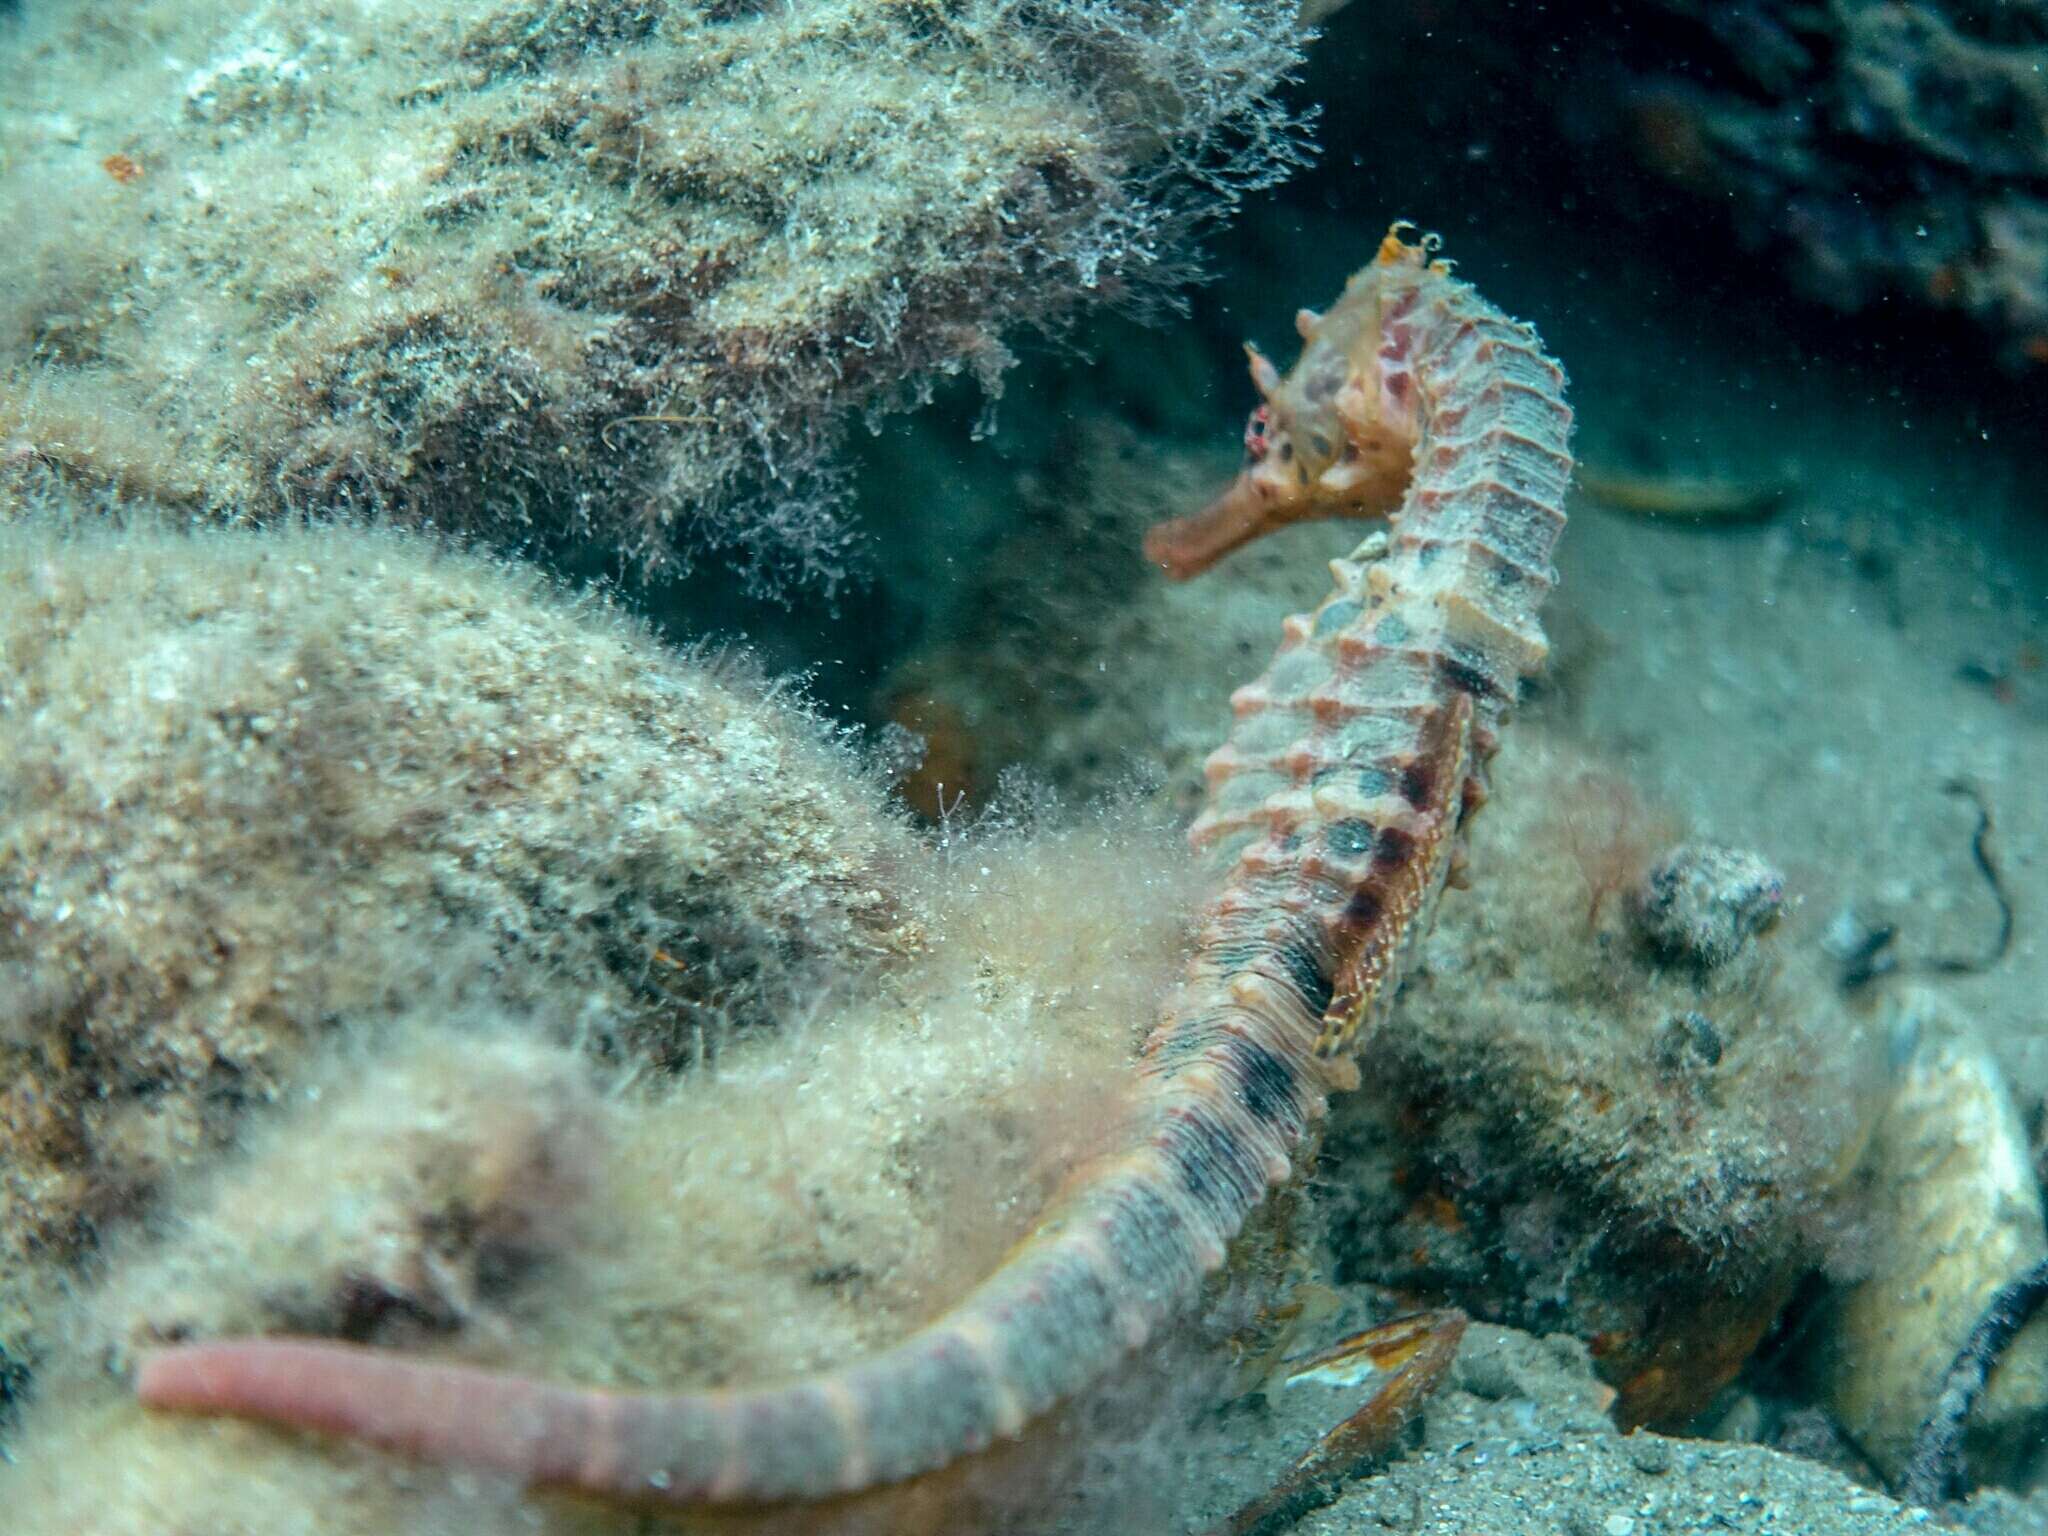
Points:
(263, 790)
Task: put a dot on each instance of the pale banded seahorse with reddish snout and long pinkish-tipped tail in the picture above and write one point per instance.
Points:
(1334, 806)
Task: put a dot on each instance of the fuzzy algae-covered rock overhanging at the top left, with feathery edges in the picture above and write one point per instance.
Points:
(562, 267)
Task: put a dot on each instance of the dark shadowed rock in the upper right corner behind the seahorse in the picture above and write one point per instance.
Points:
(1881, 155)
